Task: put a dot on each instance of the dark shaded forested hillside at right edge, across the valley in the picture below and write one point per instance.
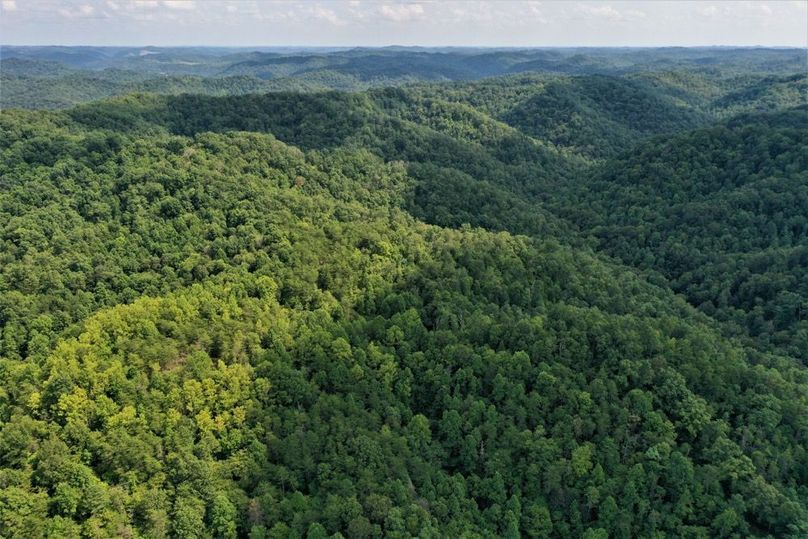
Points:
(721, 213)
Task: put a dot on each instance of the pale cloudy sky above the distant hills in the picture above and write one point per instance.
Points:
(381, 22)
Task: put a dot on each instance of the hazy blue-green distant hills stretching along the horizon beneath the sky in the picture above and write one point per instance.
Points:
(58, 77)
